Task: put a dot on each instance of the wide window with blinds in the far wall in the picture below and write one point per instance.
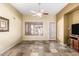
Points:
(33, 28)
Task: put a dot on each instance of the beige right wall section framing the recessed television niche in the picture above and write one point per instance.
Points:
(61, 21)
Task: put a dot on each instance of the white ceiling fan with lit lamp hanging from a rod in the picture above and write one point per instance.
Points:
(40, 12)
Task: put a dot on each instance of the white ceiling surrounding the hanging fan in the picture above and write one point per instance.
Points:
(52, 8)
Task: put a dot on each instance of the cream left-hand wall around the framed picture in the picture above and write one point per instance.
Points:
(9, 39)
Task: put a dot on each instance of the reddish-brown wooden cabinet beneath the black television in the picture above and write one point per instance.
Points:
(74, 42)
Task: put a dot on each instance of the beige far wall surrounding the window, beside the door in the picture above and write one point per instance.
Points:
(45, 20)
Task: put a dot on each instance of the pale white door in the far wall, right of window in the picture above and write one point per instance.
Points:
(52, 30)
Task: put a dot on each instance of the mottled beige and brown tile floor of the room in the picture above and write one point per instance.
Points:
(40, 48)
